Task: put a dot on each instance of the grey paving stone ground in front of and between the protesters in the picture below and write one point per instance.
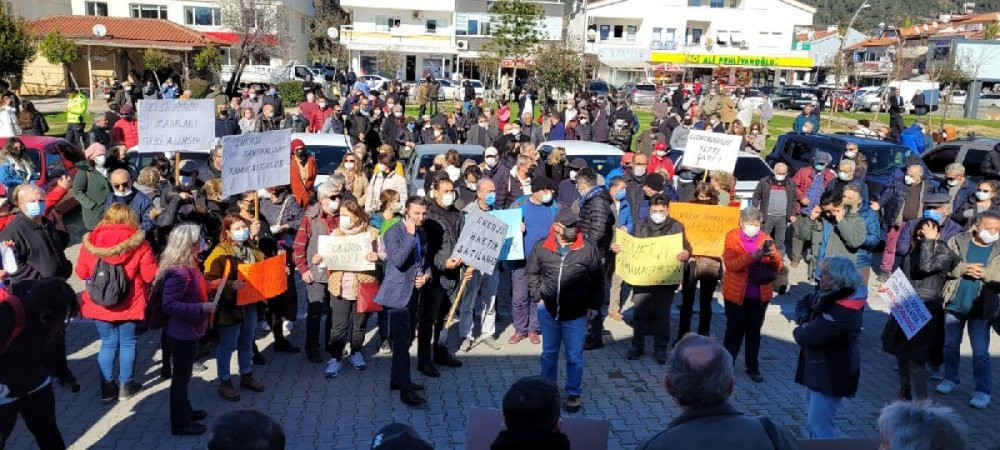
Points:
(344, 412)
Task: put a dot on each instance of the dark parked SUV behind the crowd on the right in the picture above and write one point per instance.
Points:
(798, 149)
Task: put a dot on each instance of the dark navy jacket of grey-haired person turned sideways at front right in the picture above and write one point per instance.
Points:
(828, 331)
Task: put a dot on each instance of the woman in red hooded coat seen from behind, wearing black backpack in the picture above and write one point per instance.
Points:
(118, 241)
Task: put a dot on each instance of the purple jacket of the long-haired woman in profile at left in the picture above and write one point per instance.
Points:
(184, 290)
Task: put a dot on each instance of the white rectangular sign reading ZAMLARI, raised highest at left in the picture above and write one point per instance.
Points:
(176, 125)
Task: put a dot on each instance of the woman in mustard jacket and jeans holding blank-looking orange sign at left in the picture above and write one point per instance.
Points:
(236, 323)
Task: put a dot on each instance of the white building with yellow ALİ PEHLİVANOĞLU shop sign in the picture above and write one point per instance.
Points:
(735, 41)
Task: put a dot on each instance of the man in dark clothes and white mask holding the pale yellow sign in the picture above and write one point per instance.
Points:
(653, 303)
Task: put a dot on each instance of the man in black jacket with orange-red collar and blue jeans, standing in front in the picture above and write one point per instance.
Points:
(565, 278)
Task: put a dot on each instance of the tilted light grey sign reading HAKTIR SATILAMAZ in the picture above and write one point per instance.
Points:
(481, 241)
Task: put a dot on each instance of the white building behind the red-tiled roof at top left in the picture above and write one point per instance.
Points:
(206, 16)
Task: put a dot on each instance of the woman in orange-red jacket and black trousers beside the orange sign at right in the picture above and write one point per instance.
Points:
(752, 264)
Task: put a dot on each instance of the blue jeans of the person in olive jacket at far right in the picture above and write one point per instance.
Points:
(979, 340)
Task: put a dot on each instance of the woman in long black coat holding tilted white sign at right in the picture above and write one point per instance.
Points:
(927, 264)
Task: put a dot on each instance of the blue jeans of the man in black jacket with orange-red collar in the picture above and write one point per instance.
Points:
(569, 334)
